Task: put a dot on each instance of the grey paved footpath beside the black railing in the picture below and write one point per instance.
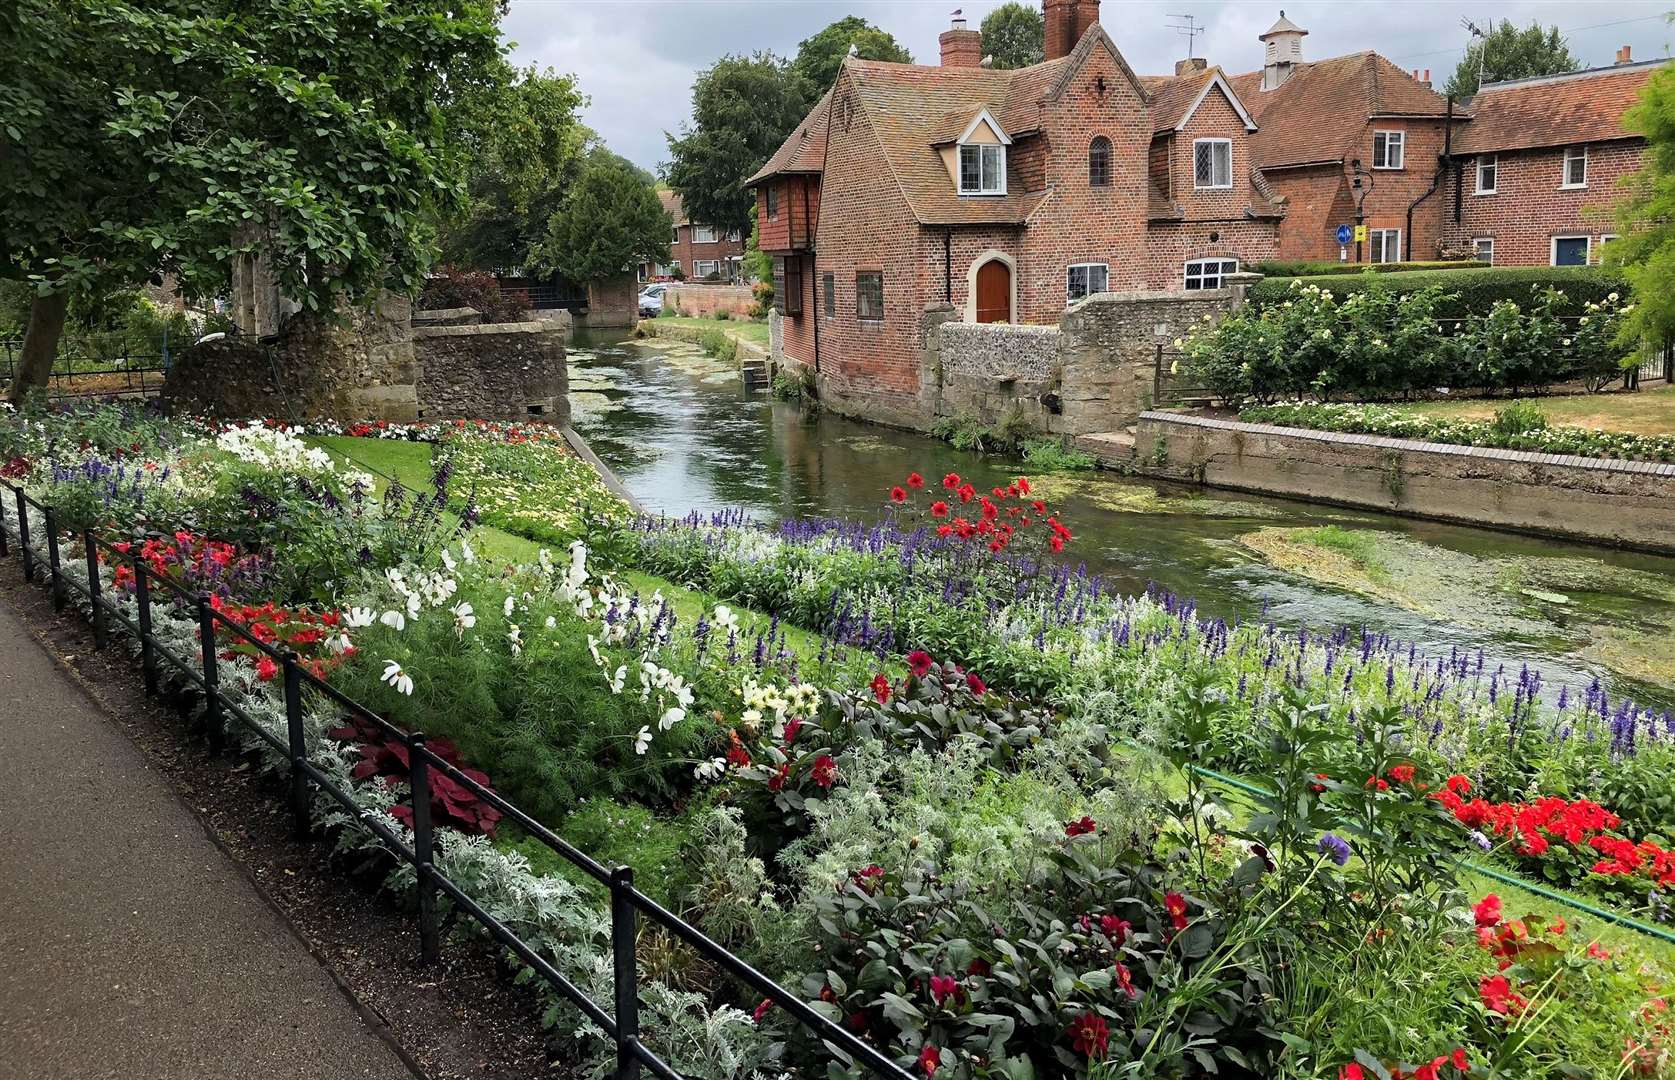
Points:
(130, 945)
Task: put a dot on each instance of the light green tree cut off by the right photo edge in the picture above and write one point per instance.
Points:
(1647, 215)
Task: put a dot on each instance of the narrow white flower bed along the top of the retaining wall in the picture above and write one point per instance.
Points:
(1403, 424)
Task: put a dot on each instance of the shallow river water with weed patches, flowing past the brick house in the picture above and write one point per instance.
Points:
(683, 435)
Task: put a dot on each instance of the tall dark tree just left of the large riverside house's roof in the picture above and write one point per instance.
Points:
(743, 108)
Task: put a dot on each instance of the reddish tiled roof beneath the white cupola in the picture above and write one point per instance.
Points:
(1324, 106)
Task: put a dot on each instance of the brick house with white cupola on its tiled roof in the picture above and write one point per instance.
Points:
(1348, 135)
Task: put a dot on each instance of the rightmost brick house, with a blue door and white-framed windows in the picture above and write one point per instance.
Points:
(1540, 165)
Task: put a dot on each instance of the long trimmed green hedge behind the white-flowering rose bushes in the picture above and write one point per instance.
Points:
(1475, 294)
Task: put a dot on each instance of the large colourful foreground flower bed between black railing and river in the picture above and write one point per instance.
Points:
(927, 818)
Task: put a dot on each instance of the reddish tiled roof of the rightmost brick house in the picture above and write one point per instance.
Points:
(1554, 110)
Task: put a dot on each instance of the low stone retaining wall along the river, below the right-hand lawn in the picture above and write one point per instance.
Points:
(1629, 505)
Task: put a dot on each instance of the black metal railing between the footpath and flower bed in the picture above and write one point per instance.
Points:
(627, 903)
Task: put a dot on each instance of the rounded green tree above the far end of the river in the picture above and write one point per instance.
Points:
(609, 222)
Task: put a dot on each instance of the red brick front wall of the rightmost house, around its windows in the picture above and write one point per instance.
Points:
(1530, 208)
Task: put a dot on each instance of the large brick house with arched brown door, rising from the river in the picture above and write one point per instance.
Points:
(1008, 195)
